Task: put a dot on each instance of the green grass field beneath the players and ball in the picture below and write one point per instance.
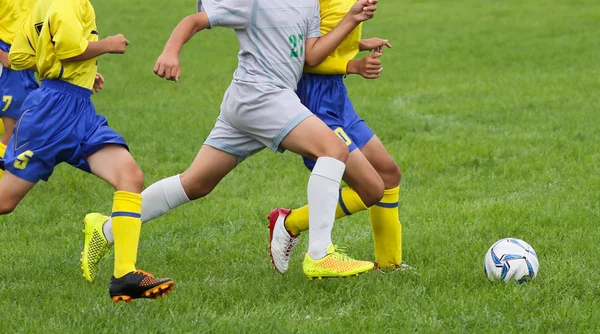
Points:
(490, 108)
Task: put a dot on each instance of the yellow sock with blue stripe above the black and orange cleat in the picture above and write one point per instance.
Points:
(127, 223)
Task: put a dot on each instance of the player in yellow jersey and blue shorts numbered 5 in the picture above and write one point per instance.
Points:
(59, 124)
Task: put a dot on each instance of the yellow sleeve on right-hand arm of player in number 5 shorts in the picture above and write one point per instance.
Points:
(66, 28)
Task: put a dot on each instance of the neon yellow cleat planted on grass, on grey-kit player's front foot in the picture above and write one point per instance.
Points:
(334, 265)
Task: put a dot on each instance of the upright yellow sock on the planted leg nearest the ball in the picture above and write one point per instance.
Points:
(387, 230)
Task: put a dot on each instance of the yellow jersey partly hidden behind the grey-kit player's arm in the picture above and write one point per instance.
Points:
(332, 12)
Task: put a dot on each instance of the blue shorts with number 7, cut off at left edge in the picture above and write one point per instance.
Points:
(14, 88)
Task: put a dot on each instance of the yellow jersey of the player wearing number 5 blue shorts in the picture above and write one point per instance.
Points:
(54, 31)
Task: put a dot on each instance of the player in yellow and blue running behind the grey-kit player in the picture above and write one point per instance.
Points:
(371, 173)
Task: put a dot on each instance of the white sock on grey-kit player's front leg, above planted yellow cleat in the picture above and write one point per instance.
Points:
(323, 194)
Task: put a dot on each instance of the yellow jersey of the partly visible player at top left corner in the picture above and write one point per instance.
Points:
(12, 14)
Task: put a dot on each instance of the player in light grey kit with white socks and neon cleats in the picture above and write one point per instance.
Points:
(259, 109)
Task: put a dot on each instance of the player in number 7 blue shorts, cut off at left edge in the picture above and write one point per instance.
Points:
(14, 85)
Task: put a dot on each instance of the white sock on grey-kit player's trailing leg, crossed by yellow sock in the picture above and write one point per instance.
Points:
(157, 200)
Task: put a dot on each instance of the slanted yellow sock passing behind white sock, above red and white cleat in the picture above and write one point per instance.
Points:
(349, 203)
